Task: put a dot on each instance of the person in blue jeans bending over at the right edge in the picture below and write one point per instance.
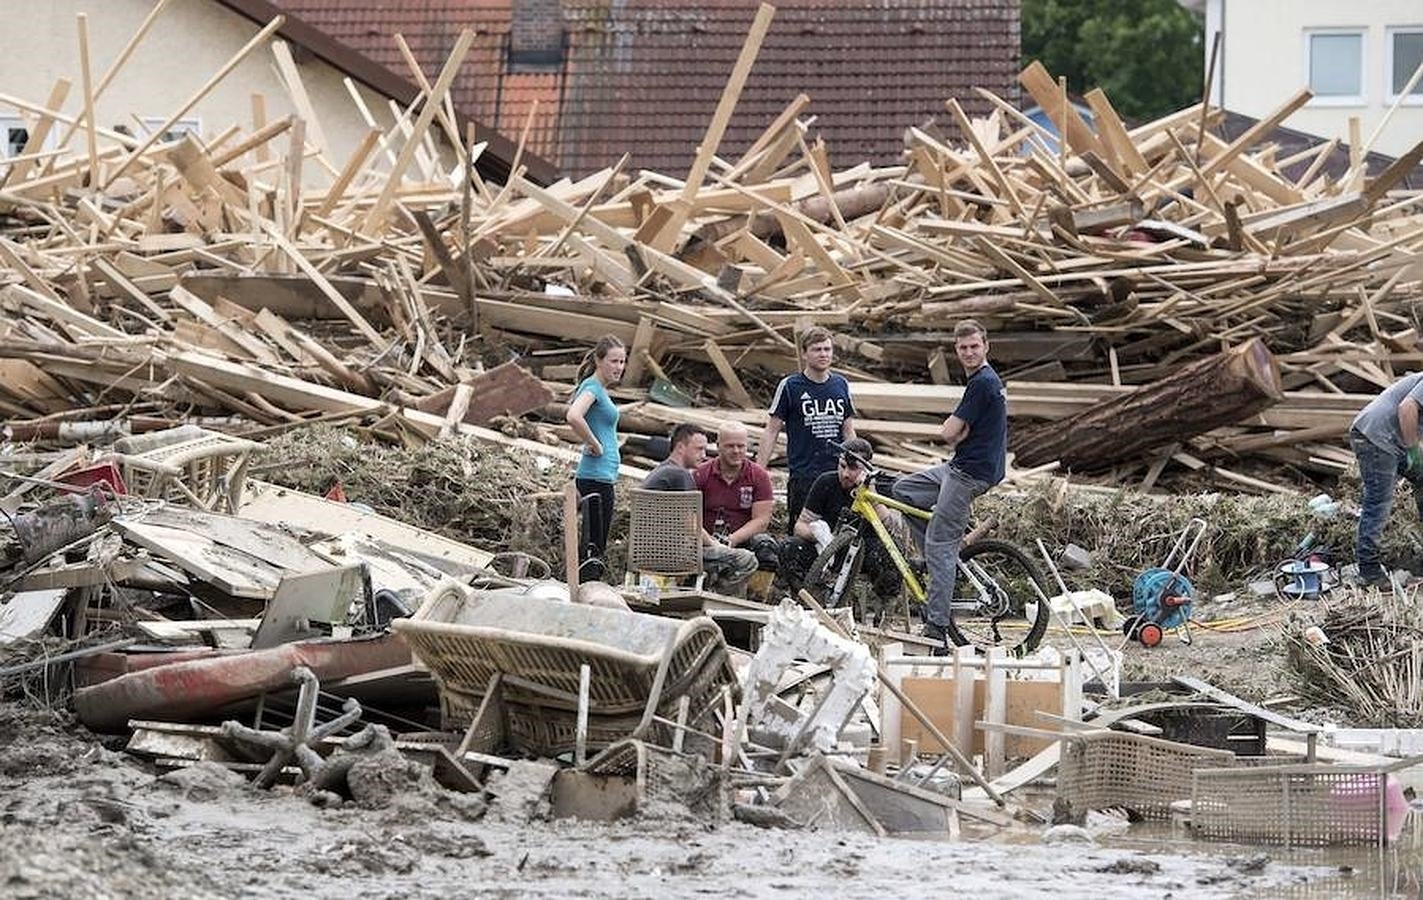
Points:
(1385, 441)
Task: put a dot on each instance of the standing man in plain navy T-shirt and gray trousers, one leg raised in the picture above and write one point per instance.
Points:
(978, 432)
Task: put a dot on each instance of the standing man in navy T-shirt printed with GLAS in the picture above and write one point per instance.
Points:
(815, 408)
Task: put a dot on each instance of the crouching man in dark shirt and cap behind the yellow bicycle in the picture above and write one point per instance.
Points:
(829, 496)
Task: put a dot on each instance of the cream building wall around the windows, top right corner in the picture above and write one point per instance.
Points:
(1266, 63)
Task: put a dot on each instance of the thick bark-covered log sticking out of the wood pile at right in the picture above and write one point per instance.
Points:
(1206, 395)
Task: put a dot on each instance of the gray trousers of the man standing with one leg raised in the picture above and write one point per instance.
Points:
(951, 493)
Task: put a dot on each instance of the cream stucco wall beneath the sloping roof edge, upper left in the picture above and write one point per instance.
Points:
(190, 42)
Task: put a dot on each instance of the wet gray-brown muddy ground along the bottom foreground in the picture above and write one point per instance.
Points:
(82, 821)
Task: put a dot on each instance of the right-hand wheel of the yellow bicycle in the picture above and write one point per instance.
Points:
(995, 603)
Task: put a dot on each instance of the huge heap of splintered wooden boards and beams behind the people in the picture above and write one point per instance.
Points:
(211, 277)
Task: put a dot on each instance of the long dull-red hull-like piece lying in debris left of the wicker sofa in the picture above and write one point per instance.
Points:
(189, 690)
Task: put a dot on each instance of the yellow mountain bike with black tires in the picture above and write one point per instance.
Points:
(998, 595)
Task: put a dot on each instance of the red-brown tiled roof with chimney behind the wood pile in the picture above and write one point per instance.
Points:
(644, 76)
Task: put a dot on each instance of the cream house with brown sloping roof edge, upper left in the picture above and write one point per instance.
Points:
(187, 45)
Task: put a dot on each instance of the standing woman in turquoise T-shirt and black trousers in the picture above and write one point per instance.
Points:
(594, 419)
